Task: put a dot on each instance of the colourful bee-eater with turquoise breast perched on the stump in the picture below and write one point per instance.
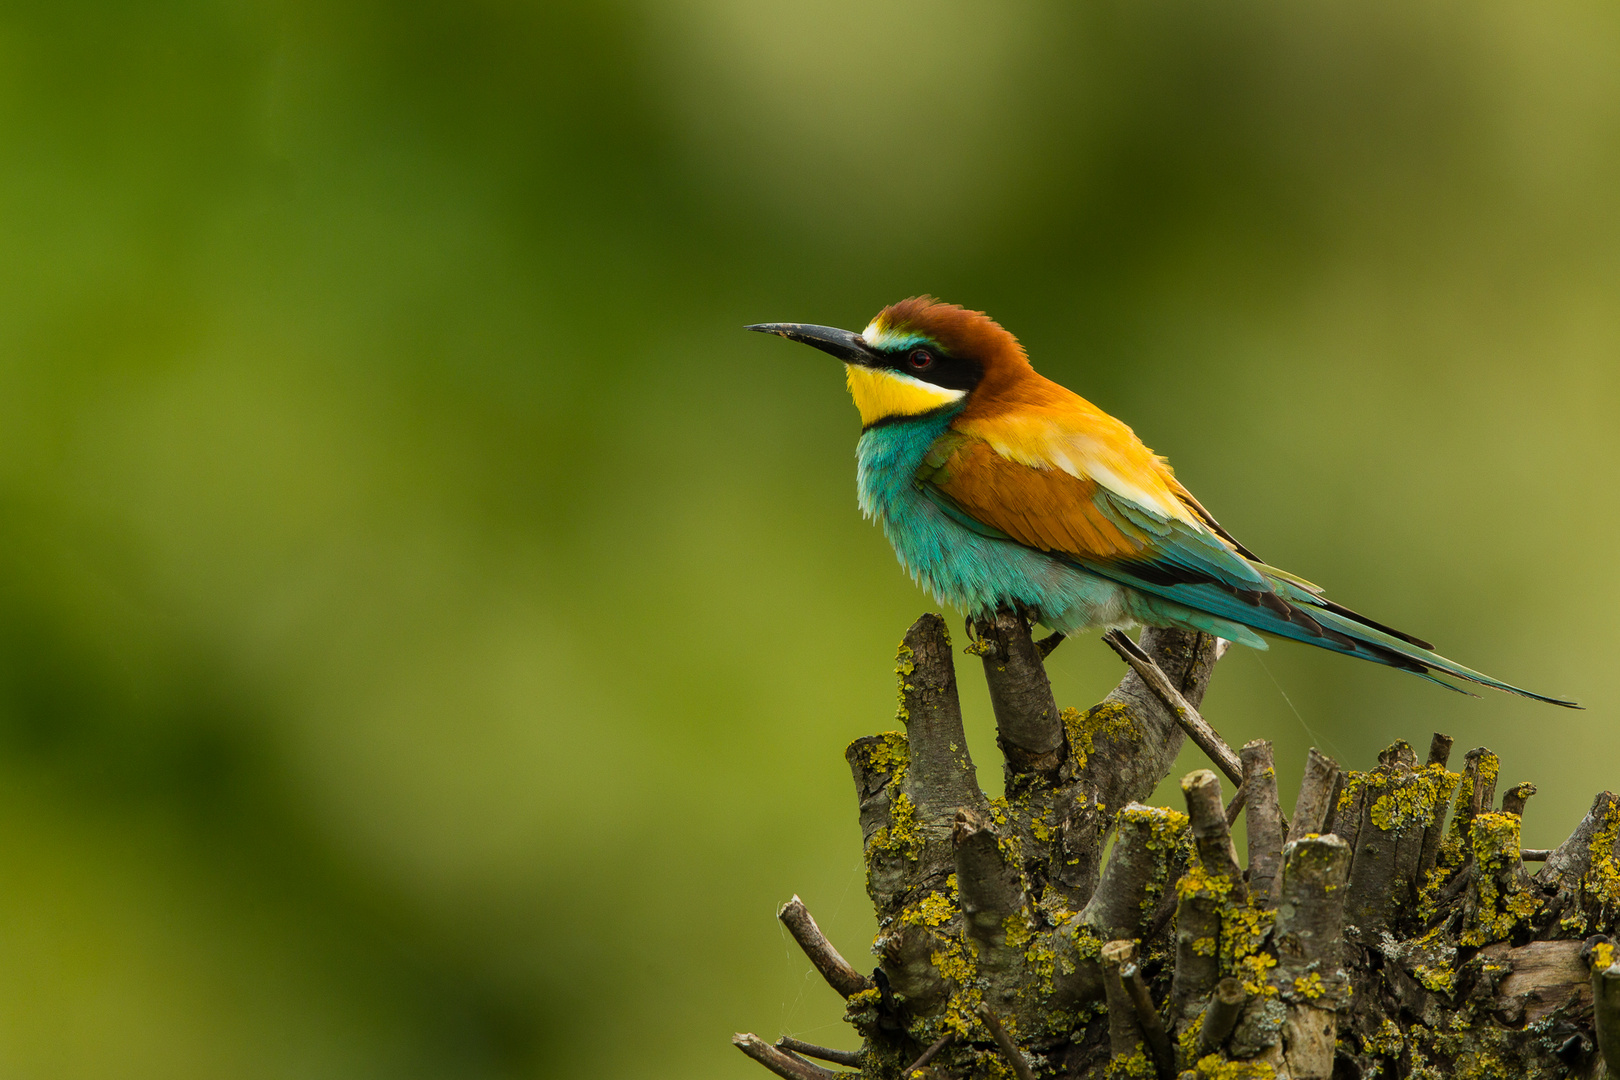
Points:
(1000, 488)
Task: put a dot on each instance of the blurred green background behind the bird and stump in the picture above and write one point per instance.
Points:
(430, 627)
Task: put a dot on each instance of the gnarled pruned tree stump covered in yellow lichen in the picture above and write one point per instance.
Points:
(1388, 929)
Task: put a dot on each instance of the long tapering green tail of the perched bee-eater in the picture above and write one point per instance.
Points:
(1344, 631)
